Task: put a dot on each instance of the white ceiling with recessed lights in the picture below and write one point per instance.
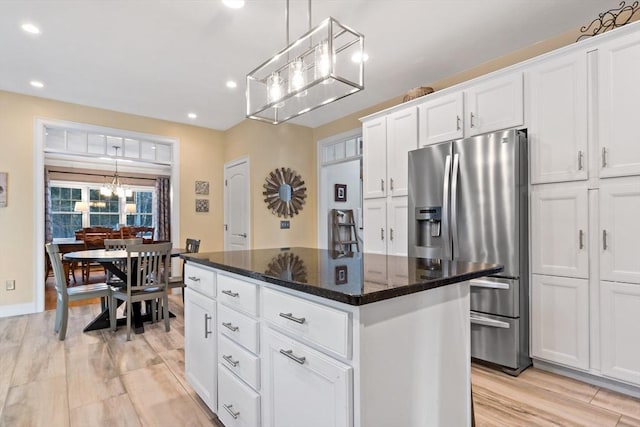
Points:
(165, 58)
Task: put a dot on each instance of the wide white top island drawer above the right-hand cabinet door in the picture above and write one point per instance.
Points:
(322, 325)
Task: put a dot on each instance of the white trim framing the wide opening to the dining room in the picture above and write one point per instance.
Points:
(38, 193)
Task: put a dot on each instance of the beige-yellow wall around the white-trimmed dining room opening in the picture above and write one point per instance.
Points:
(201, 158)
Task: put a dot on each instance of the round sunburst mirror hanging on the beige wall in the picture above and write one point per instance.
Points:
(284, 193)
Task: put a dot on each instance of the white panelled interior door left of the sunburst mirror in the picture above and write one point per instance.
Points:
(237, 206)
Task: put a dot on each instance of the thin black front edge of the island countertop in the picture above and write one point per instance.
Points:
(344, 297)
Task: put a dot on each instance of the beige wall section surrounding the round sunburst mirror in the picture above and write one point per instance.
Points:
(270, 147)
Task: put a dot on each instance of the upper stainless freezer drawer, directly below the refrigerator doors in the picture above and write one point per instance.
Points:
(496, 296)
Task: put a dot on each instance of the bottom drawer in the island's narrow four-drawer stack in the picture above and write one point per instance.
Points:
(239, 406)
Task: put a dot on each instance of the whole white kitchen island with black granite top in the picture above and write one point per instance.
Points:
(308, 337)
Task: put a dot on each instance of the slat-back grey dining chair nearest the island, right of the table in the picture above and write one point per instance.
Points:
(146, 281)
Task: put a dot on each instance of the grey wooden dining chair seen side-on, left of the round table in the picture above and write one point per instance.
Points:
(66, 294)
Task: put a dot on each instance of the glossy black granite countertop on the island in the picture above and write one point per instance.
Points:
(351, 278)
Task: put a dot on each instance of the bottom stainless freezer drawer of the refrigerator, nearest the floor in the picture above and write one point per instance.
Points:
(495, 339)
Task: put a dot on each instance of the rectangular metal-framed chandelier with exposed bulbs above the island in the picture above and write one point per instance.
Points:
(325, 64)
